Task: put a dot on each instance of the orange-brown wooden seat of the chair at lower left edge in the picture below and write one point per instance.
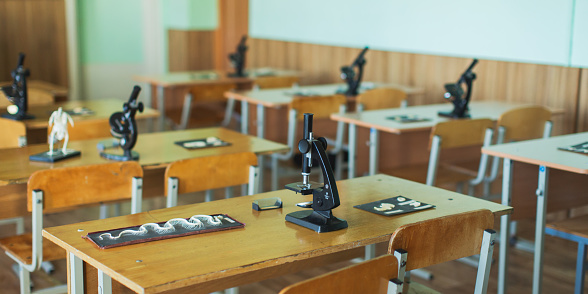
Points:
(21, 246)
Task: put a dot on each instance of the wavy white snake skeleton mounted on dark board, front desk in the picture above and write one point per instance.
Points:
(195, 222)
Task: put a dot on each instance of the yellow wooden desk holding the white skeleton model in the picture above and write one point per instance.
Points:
(156, 151)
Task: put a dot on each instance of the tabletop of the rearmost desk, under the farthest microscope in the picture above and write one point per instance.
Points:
(207, 77)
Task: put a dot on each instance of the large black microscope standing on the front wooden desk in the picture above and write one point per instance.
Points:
(324, 197)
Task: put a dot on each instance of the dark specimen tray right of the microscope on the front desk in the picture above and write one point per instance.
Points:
(398, 205)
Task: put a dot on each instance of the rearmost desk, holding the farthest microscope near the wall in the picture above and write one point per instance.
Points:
(184, 80)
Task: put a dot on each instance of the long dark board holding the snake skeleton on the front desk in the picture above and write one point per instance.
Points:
(228, 223)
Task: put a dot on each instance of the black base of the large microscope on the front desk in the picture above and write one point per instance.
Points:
(319, 221)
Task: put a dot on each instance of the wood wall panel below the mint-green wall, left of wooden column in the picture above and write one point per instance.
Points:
(191, 50)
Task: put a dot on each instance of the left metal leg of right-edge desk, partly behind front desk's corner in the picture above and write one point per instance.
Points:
(504, 226)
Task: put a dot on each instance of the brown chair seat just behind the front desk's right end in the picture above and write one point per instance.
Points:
(418, 173)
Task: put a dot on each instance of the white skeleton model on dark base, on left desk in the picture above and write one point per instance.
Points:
(58, 123)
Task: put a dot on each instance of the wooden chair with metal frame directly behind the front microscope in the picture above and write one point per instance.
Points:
(321, 107)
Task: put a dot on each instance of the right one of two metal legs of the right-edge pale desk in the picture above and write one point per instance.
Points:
(540, 228)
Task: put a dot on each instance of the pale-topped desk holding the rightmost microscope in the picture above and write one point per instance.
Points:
(377, 120)
